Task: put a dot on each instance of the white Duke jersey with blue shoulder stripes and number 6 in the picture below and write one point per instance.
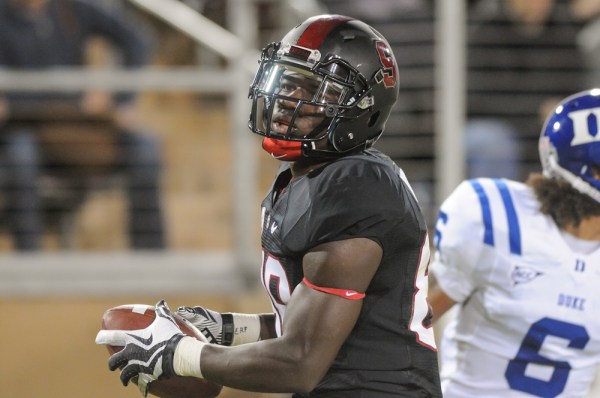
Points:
(529, 318)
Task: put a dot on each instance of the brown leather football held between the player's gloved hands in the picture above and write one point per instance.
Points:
(139, 316)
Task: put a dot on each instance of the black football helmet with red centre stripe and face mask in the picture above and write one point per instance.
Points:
(324, 88)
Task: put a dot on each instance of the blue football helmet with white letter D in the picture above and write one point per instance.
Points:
(570, 142)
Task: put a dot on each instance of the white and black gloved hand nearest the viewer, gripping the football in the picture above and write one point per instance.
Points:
(147, 353)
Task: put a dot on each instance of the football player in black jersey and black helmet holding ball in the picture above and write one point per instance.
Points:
(345, 245)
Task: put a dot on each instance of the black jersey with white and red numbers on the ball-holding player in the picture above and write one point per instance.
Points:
(390, 351)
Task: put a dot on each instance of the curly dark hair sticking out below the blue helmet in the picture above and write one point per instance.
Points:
(558, 199)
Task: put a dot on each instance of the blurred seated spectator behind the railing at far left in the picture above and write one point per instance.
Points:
(53, 145)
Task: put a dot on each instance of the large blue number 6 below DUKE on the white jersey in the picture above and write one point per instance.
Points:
(529, 354)
